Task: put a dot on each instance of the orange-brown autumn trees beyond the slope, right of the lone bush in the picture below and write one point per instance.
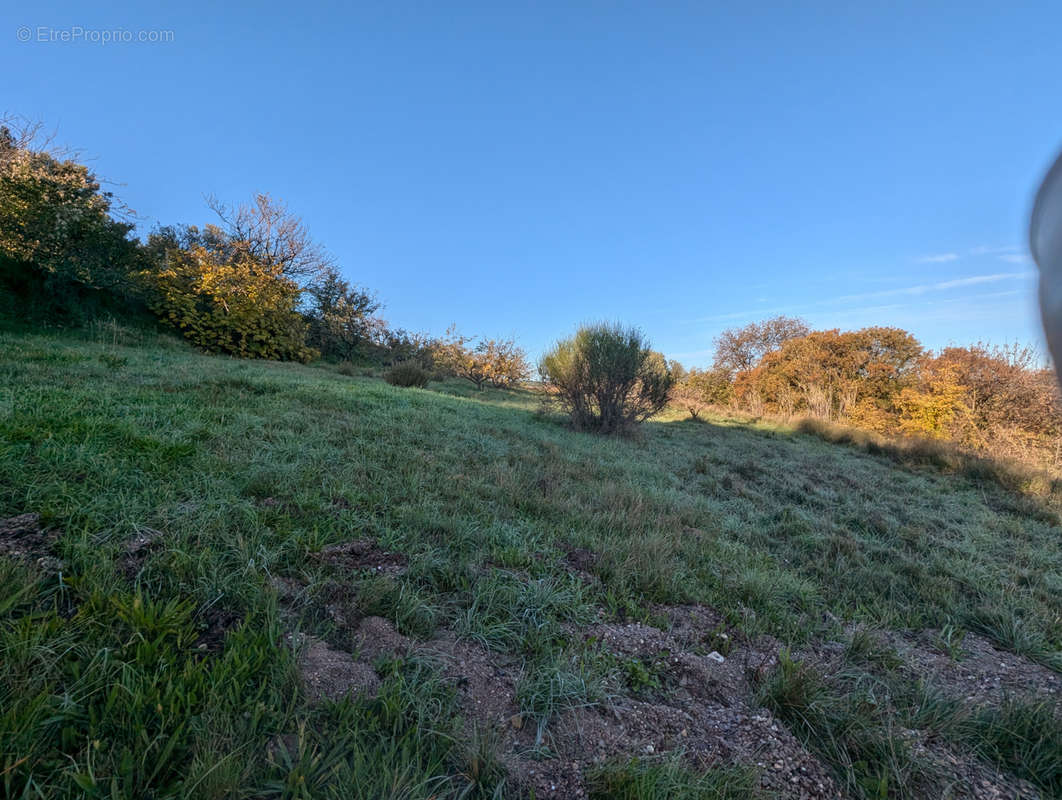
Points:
(995, 399)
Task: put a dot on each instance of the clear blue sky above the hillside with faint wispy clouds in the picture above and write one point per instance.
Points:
(519, 168)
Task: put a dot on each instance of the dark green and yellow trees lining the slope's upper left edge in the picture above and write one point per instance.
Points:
(250, 283)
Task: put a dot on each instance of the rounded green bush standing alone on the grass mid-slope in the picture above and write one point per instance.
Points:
(607, 378)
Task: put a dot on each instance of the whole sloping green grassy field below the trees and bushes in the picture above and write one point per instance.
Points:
(197, 504)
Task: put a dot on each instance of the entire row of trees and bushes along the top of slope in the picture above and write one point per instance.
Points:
(253, 283)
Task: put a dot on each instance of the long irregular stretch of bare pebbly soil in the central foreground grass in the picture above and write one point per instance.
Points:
(706, 713)
